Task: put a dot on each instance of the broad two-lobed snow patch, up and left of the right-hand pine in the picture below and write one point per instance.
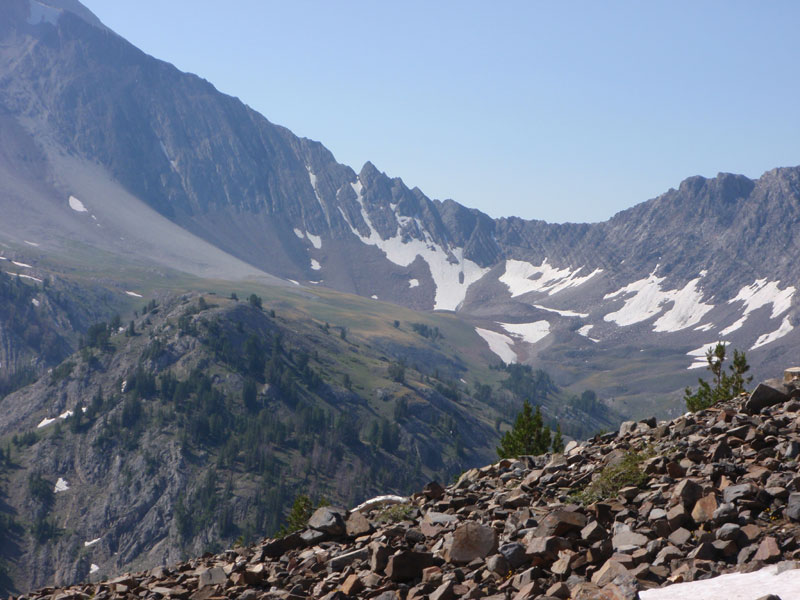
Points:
(648, 300)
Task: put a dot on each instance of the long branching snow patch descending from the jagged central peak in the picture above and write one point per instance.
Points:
(452, 279)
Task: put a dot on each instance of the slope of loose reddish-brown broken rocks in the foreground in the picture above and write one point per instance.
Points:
(655, 503)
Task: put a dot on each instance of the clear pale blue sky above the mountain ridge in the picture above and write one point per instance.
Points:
(563, 111)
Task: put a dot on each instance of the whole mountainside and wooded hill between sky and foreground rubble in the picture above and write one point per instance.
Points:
(203, 315)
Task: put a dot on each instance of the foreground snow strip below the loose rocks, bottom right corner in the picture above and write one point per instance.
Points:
(733, 586)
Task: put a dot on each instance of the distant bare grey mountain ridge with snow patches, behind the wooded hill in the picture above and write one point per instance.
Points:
(145, 148)
